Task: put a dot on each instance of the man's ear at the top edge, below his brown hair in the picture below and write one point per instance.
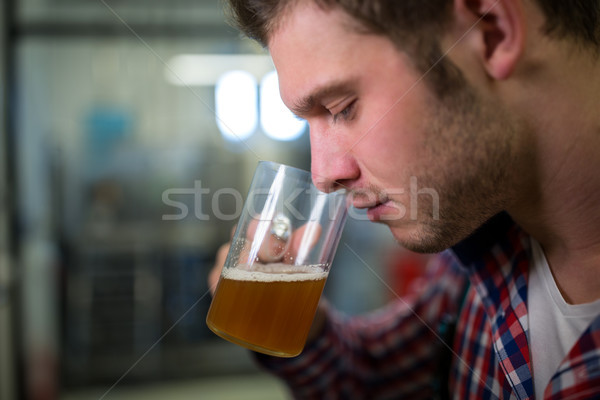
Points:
(500, 28)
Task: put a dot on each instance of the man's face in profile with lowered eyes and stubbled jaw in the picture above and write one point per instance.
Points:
(431, 171)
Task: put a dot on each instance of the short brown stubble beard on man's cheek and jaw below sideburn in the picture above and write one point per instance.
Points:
(470, 151)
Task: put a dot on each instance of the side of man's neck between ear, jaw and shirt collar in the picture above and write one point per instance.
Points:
(558, 202)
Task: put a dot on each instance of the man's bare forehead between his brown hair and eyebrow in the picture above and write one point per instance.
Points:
(314, 47)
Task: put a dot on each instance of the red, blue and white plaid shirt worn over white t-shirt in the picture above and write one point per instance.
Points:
(400, 351)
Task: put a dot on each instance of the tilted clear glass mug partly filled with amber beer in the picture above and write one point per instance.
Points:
(278, 262)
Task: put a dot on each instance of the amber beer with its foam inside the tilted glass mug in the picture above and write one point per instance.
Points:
(268, 313)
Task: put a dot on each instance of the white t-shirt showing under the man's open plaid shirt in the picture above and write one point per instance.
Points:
(554, 325)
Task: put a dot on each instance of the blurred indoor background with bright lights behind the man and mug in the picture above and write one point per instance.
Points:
(125, 123)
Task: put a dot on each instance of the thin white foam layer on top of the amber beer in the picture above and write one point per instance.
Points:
(275, 273)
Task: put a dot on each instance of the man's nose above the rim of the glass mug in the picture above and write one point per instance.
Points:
(333, 164)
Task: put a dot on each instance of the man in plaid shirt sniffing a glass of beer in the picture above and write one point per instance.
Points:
(493, 105)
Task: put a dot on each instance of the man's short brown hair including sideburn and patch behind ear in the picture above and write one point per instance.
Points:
(415, 26)
